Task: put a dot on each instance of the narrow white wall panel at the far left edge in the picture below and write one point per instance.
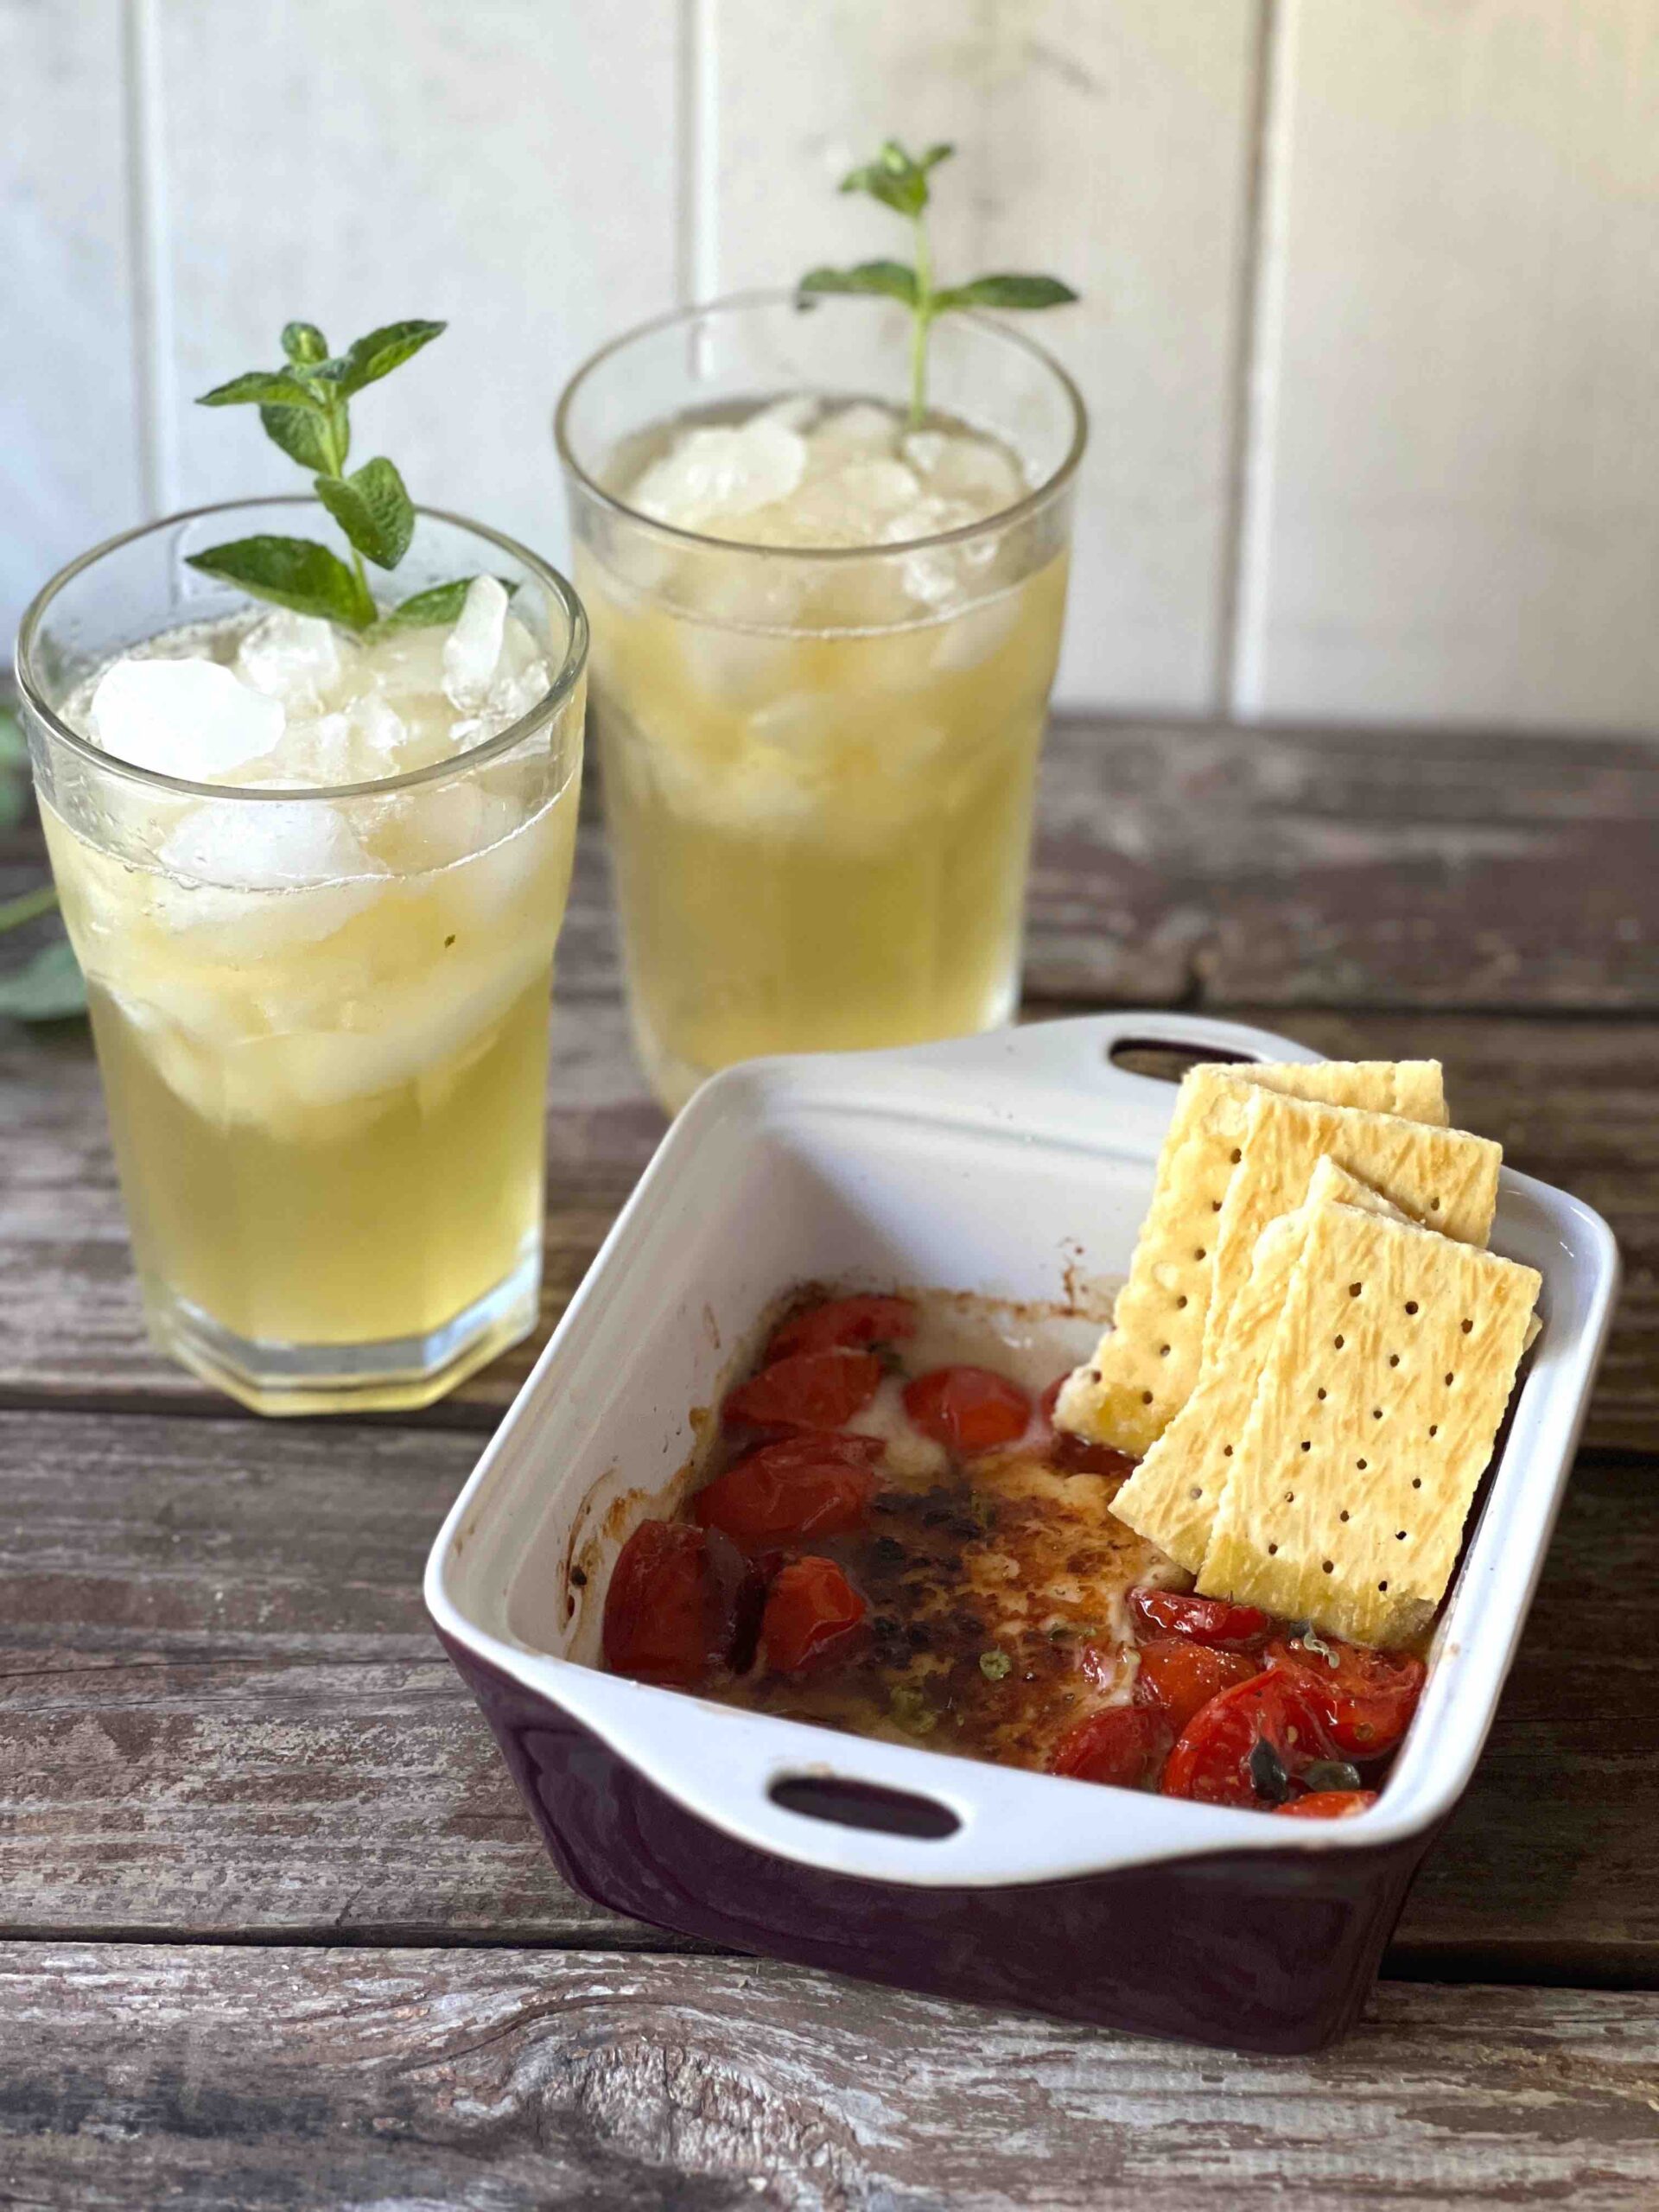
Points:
(70, 413)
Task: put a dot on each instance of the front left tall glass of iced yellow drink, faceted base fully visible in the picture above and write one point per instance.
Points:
(315, 881)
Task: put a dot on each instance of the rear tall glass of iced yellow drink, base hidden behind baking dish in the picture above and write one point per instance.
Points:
(822, 658)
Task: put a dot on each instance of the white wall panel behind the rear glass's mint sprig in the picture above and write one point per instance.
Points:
(1107, 140)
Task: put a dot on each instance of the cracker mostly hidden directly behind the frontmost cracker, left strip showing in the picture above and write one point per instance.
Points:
(1173, 1494)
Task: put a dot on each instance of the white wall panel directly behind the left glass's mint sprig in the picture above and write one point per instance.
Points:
(505, 165)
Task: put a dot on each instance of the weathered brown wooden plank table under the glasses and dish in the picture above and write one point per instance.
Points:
(275, 1928)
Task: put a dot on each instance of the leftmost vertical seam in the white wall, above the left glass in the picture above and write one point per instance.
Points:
(149, 262)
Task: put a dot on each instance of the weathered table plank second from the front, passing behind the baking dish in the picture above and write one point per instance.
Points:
(225, 1713)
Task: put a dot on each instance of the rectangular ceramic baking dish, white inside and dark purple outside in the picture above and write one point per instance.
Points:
(1014, 1167)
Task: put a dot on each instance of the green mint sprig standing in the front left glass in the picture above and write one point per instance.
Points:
(304, 410)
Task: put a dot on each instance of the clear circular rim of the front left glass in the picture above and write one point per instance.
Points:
(377, 789)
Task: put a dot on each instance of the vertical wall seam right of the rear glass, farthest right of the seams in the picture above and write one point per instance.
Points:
(1253, 337)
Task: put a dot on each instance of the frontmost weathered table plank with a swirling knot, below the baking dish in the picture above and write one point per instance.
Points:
(346, 2078)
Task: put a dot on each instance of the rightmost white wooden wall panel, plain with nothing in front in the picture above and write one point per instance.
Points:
(1454, 486)
